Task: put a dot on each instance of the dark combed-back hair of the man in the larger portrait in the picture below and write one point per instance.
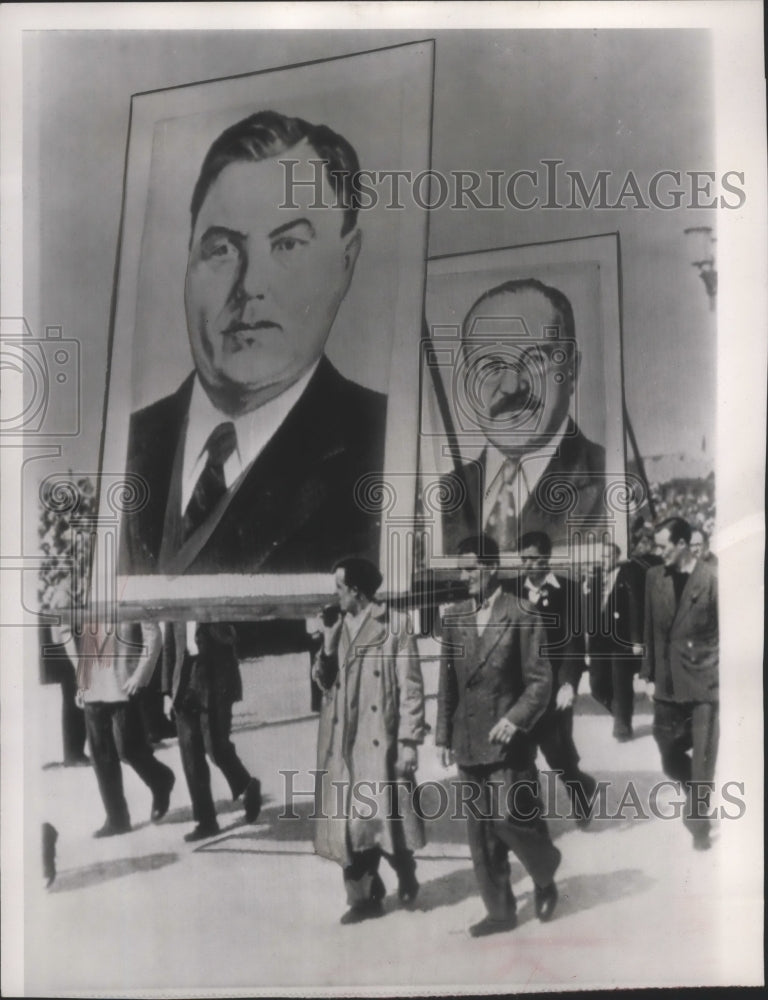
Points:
(268, 133)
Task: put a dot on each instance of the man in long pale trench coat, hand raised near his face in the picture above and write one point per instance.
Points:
(371, 723)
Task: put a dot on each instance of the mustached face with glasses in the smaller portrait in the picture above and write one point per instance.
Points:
(519, 386)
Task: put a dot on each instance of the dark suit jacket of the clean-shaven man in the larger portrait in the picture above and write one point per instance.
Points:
(294, 508)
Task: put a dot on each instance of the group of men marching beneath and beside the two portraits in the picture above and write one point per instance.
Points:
(514, 652)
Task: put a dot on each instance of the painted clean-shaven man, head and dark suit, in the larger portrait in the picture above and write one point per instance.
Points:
(251, 465)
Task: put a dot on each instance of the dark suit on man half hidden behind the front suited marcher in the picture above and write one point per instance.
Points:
(558, 605)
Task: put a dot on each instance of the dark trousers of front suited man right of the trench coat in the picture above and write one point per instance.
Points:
(505, 815)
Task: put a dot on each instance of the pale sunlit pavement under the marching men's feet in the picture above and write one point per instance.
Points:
(253, 908)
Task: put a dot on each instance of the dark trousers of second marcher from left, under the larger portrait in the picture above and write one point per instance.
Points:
(206, 728)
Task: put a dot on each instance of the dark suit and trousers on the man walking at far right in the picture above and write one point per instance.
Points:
(682, 661)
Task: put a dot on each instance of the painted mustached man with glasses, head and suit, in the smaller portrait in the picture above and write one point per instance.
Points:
(518, 379)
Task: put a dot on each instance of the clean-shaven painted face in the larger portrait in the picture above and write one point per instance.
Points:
(264, 283)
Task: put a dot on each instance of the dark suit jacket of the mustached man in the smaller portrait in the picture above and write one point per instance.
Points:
(577, 467)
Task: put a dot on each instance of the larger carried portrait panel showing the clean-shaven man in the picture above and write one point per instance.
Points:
(266, 317)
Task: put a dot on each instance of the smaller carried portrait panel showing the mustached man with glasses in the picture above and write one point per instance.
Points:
(522, 418)
